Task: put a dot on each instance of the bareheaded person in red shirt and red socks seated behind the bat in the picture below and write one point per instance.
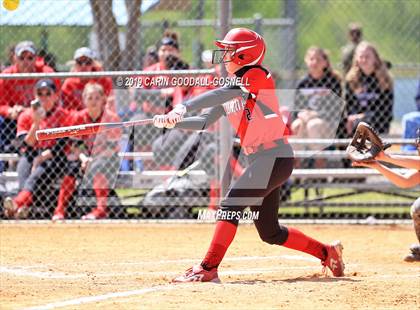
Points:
(98, 158)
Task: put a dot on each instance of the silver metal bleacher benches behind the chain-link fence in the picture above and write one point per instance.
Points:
(354, 180)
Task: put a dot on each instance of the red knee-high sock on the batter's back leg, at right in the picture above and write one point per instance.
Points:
(299, 241)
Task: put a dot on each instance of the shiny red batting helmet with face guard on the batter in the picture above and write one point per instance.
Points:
(246, 46)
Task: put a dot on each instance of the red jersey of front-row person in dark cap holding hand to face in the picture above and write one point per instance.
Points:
(58, 117)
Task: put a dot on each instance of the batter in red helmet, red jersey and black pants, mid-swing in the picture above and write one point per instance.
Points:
(253, 111)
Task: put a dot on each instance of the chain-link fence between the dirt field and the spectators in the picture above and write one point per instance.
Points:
(335, 63)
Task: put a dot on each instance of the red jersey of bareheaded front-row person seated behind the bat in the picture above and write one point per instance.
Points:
(103, 141)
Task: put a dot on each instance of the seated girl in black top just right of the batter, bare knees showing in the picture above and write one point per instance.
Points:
(317, 98)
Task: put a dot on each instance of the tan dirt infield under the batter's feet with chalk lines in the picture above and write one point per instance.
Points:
(128, 266)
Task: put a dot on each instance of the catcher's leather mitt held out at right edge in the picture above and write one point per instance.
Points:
(366, 144)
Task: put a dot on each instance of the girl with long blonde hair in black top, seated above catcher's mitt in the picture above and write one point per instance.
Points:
(369, 91)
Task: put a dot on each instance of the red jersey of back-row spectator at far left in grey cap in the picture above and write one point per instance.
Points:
(13, 92)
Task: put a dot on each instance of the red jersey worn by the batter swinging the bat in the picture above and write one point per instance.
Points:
(256, 116)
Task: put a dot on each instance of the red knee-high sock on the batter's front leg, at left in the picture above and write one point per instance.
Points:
(222, 238)
